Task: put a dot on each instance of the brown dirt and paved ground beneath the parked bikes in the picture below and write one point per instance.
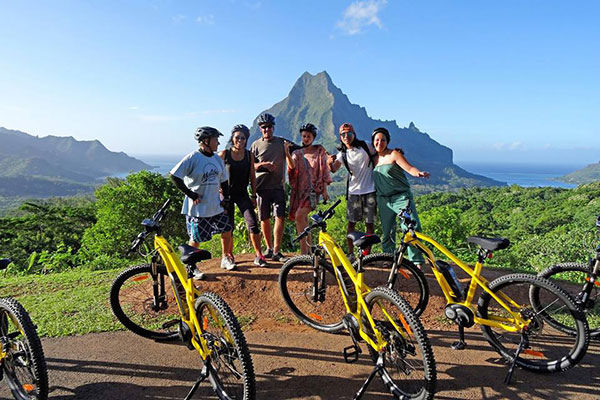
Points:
(292, 361)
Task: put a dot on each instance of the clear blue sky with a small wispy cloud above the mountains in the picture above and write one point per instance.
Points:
(494, 80)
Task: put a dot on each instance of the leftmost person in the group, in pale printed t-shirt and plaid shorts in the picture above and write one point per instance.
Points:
(200, 175)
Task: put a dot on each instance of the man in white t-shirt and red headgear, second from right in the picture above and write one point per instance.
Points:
(356, 156)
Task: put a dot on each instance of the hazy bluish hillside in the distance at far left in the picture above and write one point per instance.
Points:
(56, 166)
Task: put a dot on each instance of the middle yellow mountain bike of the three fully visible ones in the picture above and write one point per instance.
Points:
(396, 340)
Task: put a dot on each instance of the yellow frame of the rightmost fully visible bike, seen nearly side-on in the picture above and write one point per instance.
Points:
(514, 324)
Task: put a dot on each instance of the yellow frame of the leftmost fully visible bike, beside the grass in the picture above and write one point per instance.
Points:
(176, 270)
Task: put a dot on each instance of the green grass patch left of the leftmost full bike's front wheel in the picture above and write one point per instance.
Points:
(69, 303)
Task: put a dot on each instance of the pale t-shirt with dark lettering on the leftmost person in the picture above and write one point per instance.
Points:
(203, 175)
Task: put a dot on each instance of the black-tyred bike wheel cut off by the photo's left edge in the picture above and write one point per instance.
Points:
(24, 365)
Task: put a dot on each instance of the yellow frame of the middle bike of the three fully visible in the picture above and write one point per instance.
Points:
(339, 260)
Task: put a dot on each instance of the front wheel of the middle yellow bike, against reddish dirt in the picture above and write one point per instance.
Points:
(296, 283)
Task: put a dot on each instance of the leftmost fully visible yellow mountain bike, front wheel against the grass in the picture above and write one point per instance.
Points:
(159, 301)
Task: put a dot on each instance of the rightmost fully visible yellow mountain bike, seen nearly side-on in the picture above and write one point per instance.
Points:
(522, 316)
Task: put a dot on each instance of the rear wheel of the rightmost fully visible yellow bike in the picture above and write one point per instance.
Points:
(550, 349)
